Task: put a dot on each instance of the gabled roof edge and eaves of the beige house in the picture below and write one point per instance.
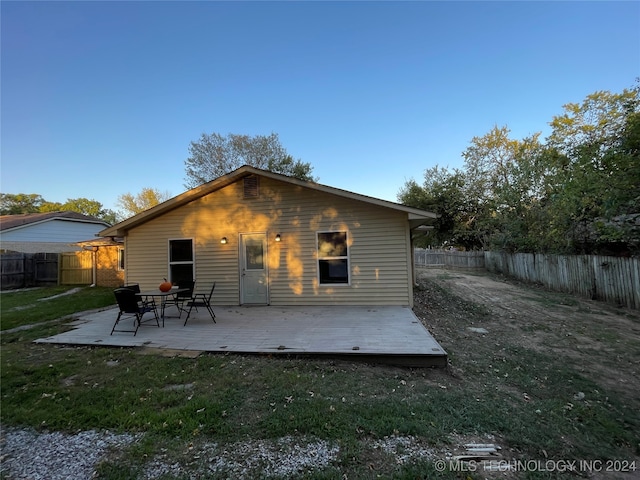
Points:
(415, 216)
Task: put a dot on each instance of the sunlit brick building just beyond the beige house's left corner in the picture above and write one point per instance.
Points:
(107, 260)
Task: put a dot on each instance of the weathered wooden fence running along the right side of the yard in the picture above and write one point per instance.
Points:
(612, 279)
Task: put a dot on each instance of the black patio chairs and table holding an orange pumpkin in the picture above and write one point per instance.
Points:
(134, 304)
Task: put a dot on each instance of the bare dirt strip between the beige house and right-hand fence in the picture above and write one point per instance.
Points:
(602, 341)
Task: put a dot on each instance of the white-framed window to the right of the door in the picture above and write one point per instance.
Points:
(333, 258)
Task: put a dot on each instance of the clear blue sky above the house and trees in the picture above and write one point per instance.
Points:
(104, 98)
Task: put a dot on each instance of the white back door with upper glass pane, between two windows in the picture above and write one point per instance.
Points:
(254, 285)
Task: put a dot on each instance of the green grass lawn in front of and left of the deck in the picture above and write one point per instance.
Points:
(182, 404)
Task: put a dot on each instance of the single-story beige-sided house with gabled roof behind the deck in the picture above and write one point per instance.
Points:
(270, 239)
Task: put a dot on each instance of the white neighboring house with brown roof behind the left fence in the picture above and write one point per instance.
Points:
(51, 232)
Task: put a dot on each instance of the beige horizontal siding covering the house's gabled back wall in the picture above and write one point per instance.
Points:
(379, 257)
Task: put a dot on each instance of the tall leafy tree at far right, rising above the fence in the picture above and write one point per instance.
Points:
(596, 172)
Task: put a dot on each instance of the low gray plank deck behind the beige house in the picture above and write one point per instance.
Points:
(375, 334)
